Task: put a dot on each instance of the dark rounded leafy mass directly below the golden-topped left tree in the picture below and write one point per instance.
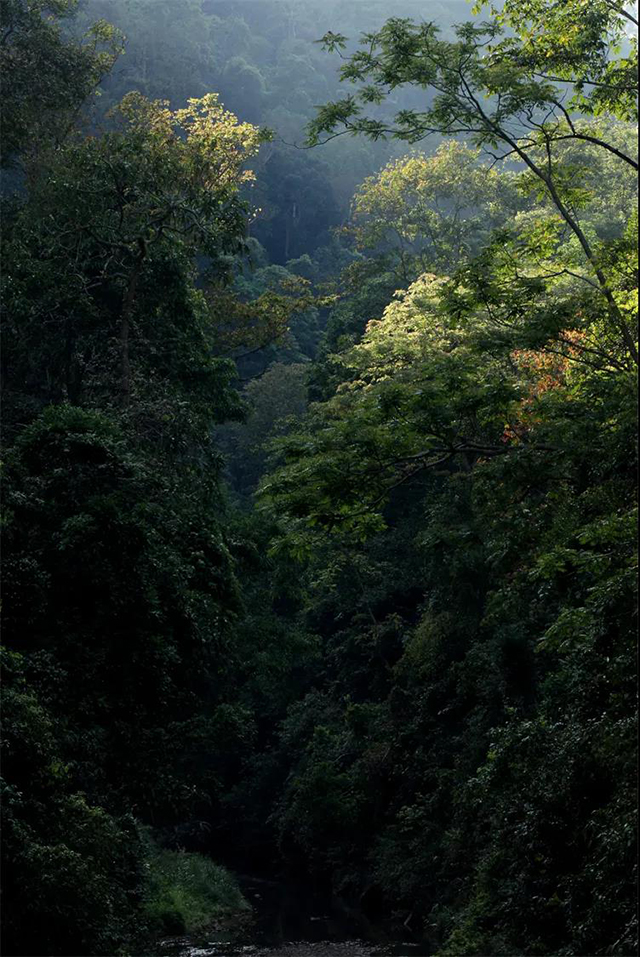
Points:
(113, 595)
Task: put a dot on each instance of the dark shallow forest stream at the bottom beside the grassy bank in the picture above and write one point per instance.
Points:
(287, 923)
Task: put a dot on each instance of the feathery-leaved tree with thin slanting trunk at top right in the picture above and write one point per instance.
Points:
(506, 103)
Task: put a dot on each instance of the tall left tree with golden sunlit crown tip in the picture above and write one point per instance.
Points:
(102, 257)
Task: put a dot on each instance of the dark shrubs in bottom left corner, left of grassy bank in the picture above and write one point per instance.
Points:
(71, 871)
